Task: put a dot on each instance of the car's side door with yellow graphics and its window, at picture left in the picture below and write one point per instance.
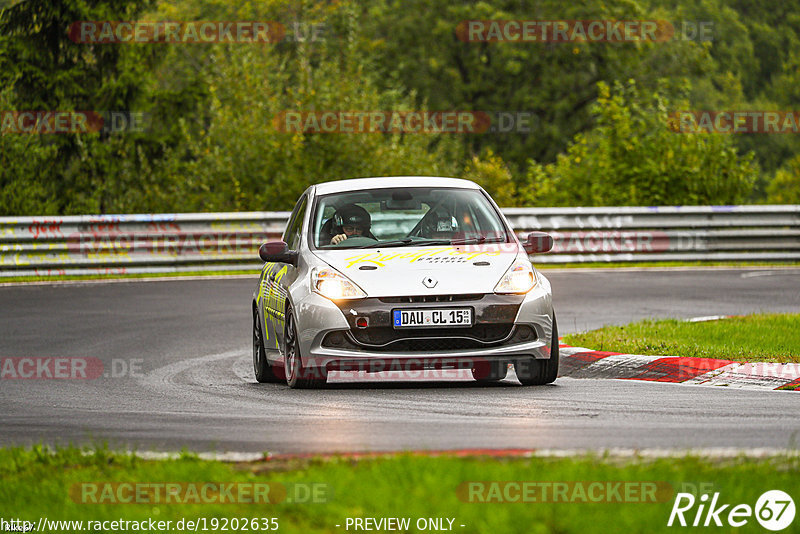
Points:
(282, 275)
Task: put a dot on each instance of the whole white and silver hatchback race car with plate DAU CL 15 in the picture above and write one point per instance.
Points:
(402, 274)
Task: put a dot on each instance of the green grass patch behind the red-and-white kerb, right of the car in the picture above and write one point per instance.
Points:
(753, 338)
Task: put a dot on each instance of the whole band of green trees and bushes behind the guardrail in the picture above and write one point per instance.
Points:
(210, 142)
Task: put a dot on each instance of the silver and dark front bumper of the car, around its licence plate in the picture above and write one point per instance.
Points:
(329, 337)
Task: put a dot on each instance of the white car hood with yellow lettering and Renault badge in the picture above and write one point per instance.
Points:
(404, 271)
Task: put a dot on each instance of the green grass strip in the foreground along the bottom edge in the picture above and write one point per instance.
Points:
(38, 484)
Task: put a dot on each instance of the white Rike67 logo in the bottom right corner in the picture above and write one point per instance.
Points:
(774, 510)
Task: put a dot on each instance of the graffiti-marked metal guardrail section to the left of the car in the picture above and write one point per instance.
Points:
(126, 244)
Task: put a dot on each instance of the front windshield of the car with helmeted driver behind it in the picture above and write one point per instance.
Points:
(405, 217)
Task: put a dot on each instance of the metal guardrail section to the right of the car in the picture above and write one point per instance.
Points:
(671, 233)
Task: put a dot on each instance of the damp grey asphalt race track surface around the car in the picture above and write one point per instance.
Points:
(189, 345)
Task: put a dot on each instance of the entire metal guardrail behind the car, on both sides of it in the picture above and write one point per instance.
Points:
(121, 244)
